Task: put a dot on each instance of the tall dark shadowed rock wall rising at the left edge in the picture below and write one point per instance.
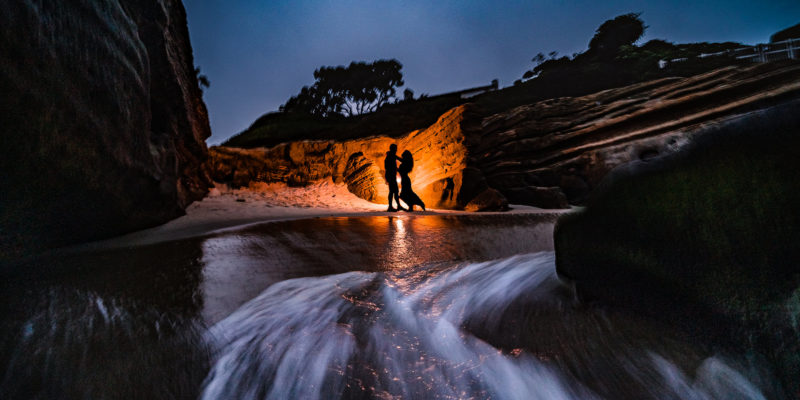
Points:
(103, 124)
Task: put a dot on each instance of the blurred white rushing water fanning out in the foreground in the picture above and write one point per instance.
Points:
(421, 333)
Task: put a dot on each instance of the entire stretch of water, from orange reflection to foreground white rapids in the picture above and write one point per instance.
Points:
(404, 307)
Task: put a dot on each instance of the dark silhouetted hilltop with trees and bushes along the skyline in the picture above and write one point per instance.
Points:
(336, 108)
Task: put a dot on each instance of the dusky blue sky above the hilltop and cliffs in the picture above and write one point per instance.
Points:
(259, 53)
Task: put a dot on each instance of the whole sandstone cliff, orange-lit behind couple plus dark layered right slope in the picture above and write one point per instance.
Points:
(548, 154)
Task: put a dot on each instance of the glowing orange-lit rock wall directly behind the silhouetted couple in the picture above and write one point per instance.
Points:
(441, 174)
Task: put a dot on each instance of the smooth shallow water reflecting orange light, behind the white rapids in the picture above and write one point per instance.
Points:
(239, 265)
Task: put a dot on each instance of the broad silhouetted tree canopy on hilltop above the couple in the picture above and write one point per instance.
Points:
(353, 90)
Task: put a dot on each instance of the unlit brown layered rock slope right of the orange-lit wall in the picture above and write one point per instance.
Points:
(533, 152)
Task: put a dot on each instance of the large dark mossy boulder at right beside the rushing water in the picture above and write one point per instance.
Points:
(706, 237)
